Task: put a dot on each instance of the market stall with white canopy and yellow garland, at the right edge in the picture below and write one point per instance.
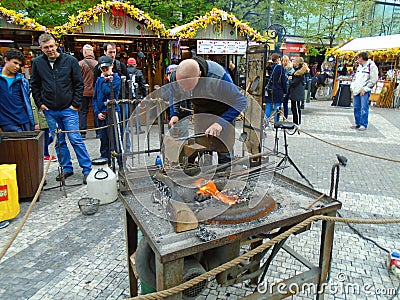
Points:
(384, 51)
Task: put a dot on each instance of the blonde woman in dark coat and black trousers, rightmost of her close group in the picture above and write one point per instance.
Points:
(297, 88)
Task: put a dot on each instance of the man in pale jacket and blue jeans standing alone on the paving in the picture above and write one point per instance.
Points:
(364, 80)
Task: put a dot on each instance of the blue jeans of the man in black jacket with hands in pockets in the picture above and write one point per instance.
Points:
(66, 120)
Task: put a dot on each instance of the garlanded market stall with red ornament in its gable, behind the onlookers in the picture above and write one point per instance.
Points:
(134, 32)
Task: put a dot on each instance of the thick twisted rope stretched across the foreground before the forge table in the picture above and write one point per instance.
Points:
(240, 259)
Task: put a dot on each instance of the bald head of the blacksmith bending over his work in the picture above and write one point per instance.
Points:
(188, 74)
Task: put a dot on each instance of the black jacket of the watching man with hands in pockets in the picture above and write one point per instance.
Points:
(58, 87)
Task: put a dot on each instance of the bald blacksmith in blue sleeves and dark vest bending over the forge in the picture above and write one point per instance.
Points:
(212, 93)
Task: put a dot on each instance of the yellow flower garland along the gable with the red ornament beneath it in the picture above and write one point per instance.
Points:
(85, 17)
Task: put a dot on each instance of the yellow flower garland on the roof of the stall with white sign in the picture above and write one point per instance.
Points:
(213, 17)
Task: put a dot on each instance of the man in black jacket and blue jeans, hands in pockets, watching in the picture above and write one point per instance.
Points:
(57, 88)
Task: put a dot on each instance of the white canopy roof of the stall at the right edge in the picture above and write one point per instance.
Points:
(372, 43)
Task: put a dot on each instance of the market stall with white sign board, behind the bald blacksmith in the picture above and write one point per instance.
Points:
(217, 35)
